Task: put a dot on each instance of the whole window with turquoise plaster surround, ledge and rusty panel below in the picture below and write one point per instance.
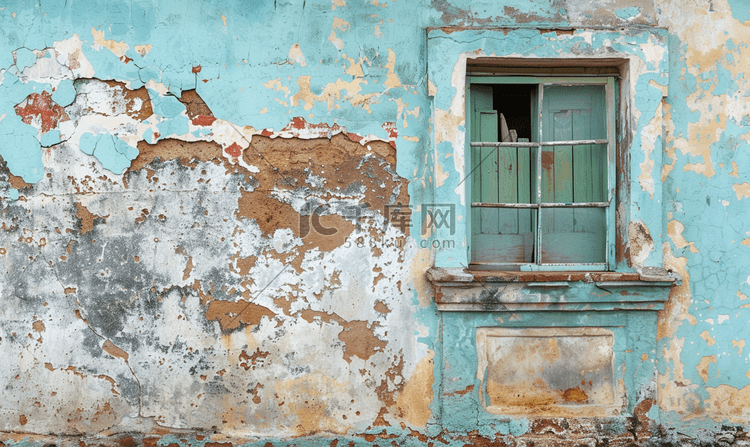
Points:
(583, 169)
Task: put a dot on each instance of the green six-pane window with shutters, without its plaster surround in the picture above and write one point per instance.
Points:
(541, 172)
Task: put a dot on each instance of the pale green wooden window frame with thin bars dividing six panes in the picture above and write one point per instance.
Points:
(610, 84)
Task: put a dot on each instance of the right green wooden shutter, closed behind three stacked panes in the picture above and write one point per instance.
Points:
(574, 174)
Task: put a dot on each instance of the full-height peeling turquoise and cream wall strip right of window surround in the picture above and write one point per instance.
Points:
(704, 369)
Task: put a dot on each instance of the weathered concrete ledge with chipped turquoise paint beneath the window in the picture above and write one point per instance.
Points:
(462, 290)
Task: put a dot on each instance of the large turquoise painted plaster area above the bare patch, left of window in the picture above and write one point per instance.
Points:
(234, 75)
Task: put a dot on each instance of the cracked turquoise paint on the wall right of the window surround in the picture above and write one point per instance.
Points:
(714, 217)
